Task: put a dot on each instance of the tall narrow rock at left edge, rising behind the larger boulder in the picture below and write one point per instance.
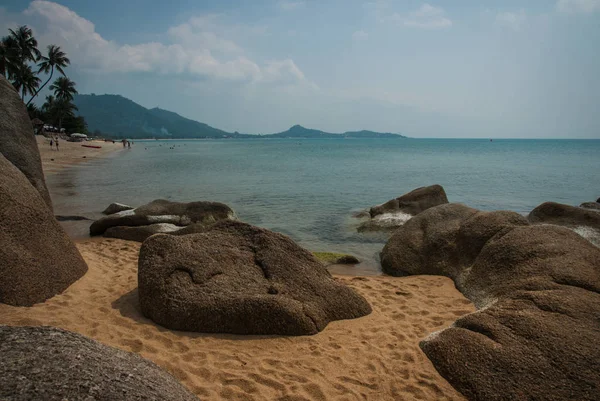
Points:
(17, 142)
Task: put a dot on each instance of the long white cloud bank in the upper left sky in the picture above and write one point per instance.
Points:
(198, 47)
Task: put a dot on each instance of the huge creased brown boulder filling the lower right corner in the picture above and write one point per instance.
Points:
(536, 334)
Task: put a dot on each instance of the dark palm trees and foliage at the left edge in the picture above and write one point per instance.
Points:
(23, 65)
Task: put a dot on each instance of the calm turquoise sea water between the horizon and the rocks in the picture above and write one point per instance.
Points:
(308, 189)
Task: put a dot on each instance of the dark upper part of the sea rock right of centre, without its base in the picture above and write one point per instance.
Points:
(413, 202)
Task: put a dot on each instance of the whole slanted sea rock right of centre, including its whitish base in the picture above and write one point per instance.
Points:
(396, 212)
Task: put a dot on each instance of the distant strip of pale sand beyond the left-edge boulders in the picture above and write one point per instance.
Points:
(71, 153)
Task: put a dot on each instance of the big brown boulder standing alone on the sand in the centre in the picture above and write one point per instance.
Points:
(237, 278)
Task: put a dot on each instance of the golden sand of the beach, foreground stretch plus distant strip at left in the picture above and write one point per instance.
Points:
(373, 357)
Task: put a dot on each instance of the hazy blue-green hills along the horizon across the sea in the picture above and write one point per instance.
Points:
(115, 116)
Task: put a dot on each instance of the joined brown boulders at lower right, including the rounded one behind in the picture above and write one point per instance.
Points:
(538, 289)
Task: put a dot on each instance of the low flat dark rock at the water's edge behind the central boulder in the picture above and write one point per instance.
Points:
(164, 211)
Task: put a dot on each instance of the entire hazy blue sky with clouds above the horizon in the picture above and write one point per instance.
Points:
(440, 68)
